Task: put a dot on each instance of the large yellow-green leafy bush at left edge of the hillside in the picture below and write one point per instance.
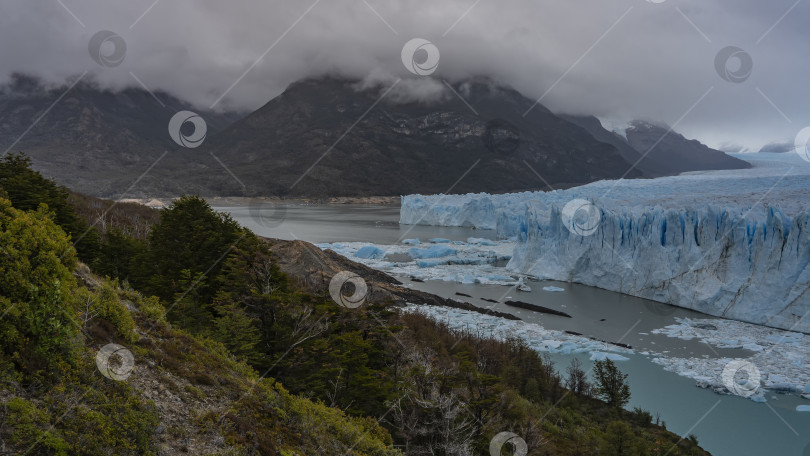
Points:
(36, 289)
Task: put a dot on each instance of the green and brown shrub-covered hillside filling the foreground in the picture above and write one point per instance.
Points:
(215, 327)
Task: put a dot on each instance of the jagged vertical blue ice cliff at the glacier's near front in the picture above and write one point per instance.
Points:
(744, 266)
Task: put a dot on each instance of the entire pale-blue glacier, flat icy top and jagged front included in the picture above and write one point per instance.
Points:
(728, 243)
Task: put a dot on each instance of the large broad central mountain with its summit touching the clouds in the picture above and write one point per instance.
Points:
(349, 140)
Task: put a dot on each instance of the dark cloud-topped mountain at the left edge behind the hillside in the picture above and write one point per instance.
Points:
(91, 140)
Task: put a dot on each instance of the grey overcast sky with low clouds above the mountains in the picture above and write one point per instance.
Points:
(617, 59)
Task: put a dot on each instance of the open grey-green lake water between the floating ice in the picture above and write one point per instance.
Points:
(724, 425)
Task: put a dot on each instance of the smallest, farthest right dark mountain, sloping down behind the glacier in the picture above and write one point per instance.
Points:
(671, 153)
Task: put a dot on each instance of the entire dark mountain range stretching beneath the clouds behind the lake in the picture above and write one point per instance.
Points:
(325, 137)
